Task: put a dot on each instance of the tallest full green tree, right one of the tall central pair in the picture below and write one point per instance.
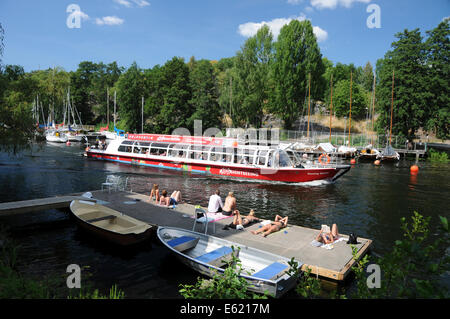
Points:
(297, 55)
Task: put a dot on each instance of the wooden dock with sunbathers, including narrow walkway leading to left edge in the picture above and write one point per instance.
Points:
(292, 241)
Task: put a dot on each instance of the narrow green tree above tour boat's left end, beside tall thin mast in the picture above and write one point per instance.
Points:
(130, 90)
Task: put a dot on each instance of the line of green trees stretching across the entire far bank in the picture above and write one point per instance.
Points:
(266, 76)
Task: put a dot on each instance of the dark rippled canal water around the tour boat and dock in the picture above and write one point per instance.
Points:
(368, 201)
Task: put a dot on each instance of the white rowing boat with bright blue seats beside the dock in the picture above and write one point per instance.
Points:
(264, 271)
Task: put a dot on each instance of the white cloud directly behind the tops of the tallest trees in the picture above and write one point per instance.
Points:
(251, 28)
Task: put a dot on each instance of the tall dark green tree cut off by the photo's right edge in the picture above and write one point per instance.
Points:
(438, 61)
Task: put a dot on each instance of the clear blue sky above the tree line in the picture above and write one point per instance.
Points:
(151, 32)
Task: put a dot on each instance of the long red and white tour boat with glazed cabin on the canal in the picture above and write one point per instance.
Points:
(215, 156)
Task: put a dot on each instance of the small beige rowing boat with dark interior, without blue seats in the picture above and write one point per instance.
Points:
(109, 224)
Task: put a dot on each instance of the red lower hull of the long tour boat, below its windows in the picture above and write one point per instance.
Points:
(291, 175)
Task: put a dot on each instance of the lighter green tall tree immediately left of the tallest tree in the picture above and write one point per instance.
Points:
(252, 82)
